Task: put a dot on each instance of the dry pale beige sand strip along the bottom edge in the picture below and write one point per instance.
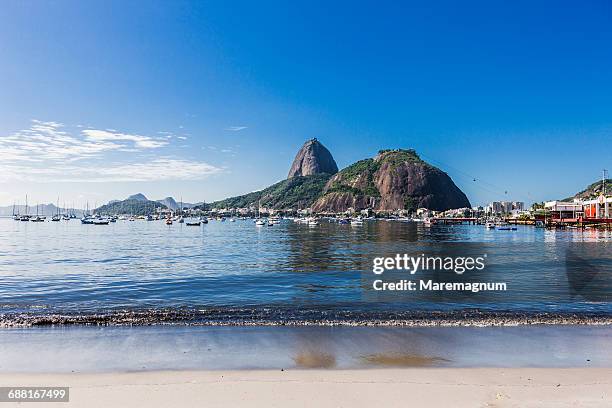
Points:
(427, 387)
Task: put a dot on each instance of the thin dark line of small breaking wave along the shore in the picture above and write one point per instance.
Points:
(271, 317)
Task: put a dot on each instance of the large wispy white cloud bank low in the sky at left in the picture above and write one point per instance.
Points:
(46, 152)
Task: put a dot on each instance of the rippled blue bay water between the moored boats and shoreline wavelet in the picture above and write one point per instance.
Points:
(281, 272)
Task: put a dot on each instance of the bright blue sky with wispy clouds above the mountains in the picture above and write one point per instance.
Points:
(205, 100)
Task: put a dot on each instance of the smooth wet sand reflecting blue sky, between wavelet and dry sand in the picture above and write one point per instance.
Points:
(189, 348)
